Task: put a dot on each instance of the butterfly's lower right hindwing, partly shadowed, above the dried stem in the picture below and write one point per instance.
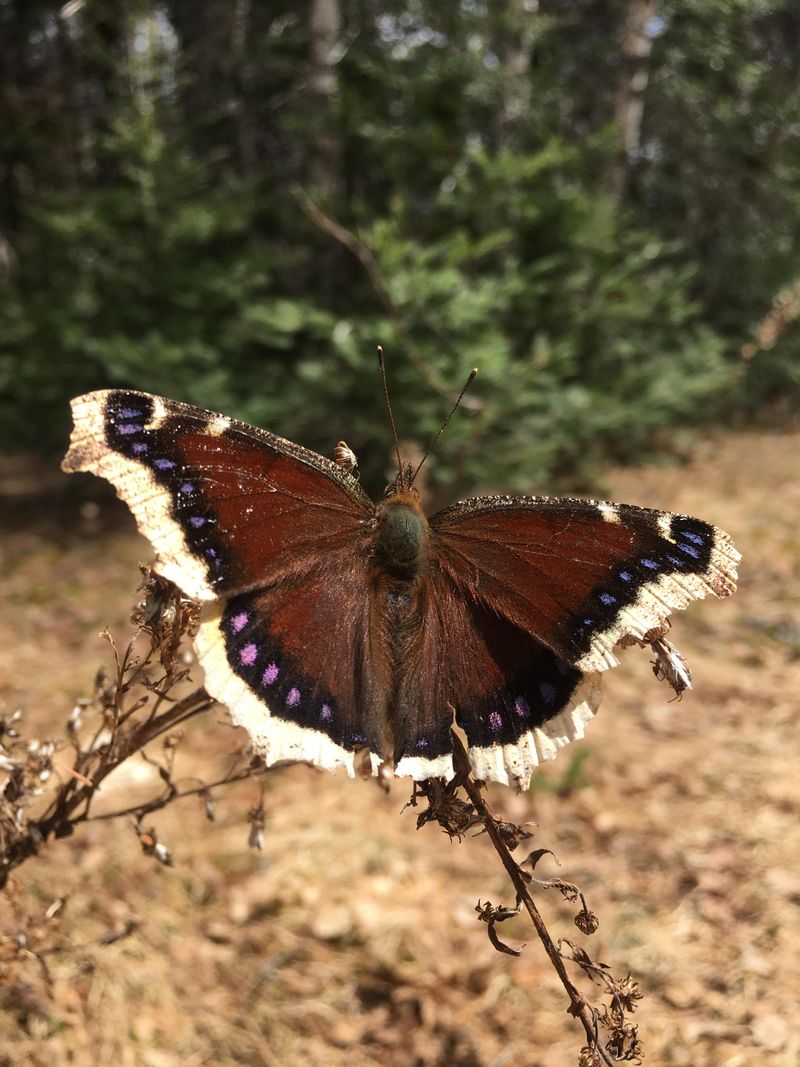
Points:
(517, 700)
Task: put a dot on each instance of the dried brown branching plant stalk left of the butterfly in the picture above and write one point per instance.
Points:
(141, 702)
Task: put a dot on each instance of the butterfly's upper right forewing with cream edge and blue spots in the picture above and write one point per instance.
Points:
(580, 576)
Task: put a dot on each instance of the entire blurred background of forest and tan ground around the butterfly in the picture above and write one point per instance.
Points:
(231, 203)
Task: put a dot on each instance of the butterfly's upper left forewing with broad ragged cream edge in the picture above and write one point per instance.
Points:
(228, 507)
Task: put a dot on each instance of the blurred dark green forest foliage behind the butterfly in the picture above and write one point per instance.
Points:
(151, 238)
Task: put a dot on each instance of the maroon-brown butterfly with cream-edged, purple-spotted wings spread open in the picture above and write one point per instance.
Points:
(350, 634)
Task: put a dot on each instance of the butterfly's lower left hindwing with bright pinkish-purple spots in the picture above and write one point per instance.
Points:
(303, 666)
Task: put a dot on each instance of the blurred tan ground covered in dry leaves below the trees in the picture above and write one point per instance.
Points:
(351, 939)
